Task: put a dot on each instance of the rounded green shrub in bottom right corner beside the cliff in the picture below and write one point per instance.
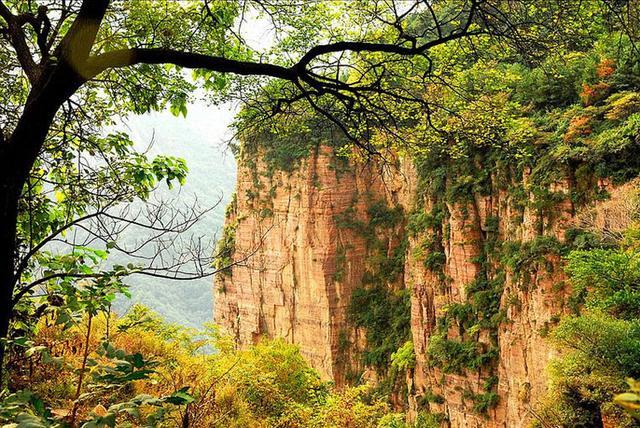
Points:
(599, 353)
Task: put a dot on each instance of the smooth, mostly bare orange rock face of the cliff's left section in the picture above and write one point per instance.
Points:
(296, 267)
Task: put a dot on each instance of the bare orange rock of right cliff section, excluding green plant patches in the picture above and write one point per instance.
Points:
(531, 298)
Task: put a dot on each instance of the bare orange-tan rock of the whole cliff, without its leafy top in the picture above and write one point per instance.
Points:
(297, 269)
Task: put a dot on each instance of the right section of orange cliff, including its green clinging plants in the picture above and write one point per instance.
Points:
(478, 318)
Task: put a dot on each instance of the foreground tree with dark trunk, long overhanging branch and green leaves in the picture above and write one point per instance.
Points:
(95, 59)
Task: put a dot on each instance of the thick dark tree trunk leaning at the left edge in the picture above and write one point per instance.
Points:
(56, 82)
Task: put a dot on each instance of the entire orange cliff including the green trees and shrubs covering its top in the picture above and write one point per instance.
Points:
(439, 273)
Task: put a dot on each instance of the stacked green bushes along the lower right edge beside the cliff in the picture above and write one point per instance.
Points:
(601, 345)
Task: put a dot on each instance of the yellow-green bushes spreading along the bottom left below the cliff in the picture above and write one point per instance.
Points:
(269, 384)
